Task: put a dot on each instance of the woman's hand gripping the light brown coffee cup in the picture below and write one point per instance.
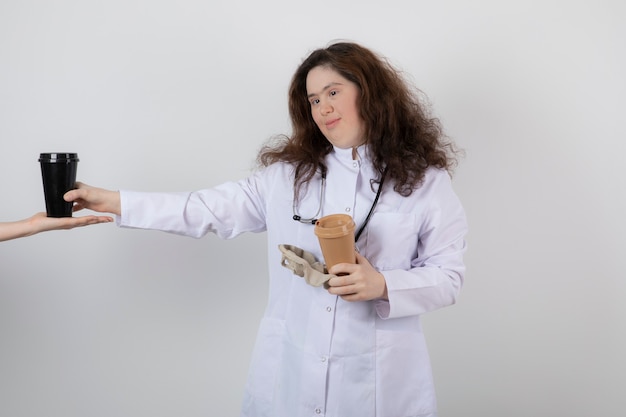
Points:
(357, 282)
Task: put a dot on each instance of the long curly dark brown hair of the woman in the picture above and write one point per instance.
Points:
(403, 138)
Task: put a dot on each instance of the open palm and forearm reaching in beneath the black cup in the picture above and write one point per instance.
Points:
(41, 223)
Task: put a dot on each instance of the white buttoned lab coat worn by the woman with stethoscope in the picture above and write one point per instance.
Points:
(316, 354)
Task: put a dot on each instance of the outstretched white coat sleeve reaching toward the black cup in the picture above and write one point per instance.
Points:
(226, 210)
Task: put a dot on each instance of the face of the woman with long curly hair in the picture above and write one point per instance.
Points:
(333, 101)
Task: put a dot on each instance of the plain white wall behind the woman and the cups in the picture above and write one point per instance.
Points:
(164, 95)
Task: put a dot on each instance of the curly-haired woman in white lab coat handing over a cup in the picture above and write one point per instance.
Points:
(355, 347)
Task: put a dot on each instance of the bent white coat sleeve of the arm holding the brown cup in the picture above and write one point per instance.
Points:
(436, 275)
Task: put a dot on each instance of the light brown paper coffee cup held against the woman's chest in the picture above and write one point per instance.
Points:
(335, 233)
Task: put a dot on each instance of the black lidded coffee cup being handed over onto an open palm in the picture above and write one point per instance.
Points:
(58, 173)
